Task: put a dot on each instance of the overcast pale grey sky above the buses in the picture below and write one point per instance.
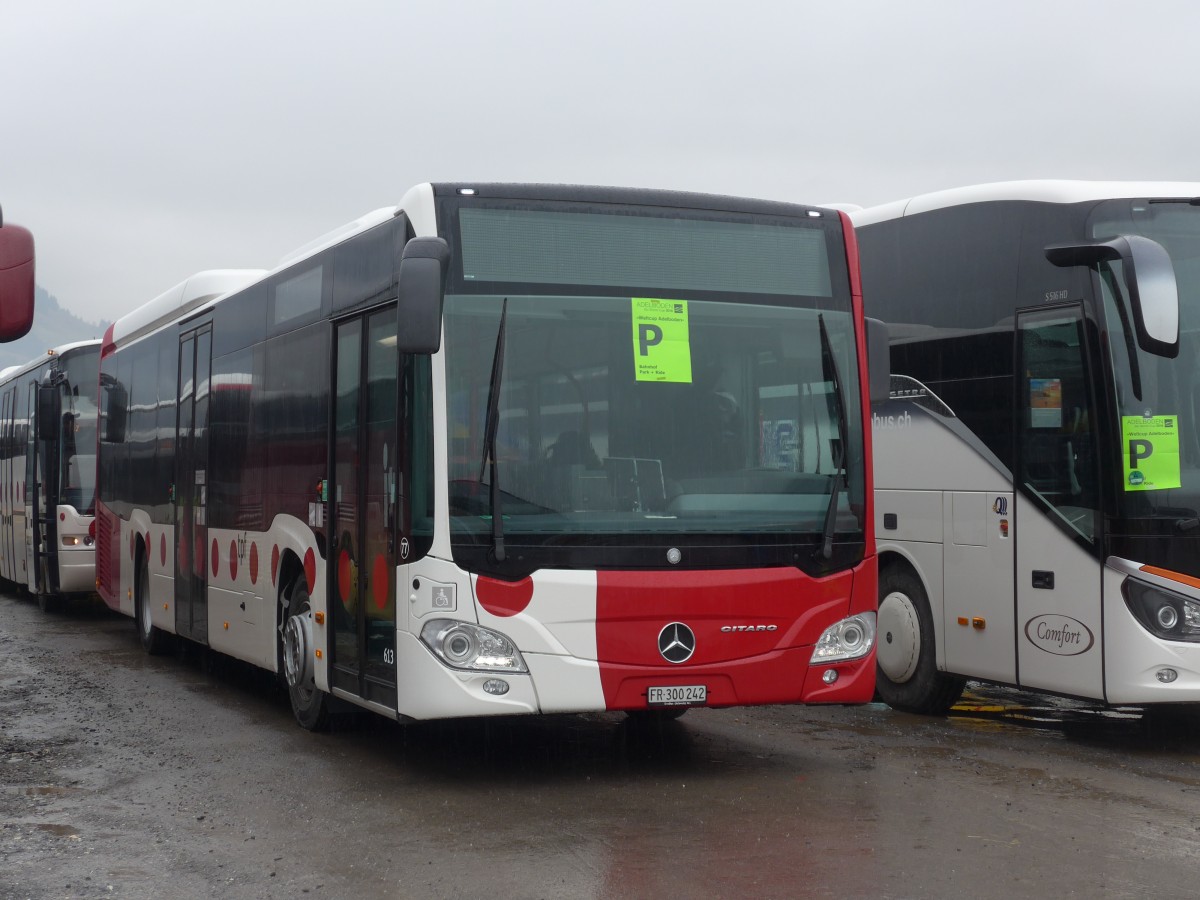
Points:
(143, 141)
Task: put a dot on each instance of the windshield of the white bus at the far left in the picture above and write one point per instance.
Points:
(77, 461)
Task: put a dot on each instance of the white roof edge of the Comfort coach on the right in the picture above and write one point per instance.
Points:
(1043, 191)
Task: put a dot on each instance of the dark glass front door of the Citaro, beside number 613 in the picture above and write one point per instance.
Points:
(363, 500)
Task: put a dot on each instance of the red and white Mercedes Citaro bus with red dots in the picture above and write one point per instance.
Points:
(508, 449)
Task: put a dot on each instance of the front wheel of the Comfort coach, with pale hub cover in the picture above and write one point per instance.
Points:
(907, 662)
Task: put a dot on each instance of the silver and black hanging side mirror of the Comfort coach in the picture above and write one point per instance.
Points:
(1150, 283)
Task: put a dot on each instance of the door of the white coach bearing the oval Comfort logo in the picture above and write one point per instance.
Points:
(1058, 513)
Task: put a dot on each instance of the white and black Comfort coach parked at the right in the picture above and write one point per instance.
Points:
(1037, 467)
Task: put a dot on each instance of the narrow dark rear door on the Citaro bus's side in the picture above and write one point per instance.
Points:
(191, 485)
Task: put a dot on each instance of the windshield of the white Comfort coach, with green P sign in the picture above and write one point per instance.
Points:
(1159, 399)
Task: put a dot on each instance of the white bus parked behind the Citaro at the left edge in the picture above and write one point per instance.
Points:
(49, 473)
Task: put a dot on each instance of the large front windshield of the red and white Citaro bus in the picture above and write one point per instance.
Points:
(681, 393)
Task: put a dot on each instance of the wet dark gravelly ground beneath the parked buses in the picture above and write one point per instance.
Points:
(185, 777)
